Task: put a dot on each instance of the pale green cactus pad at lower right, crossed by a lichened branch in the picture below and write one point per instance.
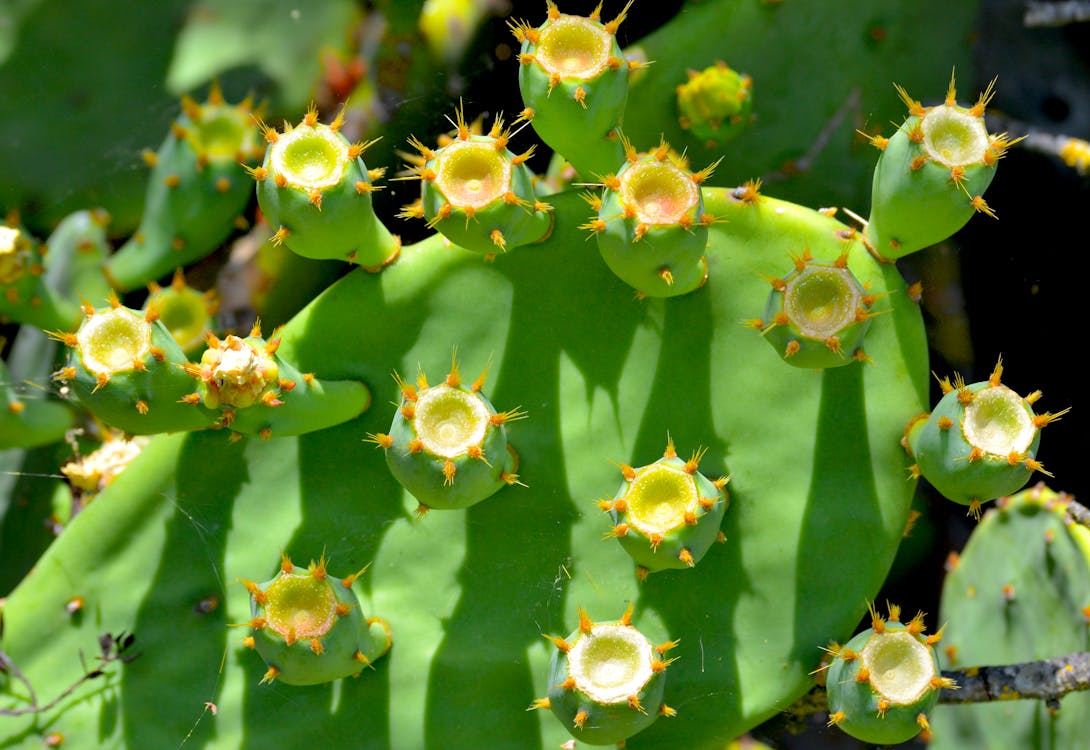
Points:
(1020, 591)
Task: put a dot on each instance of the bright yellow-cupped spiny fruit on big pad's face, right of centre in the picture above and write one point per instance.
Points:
(668, 514)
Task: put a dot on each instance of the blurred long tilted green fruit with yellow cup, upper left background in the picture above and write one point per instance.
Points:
(196, 192)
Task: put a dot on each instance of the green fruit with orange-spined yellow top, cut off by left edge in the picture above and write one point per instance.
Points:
(25, 297)
